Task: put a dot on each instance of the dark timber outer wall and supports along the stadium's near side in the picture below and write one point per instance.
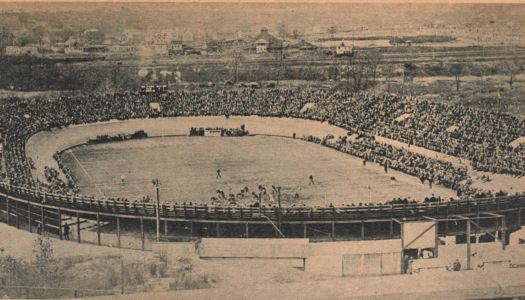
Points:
(35, 207)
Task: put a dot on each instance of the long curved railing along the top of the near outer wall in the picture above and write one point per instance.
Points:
(289, 214)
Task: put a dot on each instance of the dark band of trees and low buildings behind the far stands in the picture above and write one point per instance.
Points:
(358, 73)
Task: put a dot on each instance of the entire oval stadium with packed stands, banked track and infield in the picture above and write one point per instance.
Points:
(316, 165)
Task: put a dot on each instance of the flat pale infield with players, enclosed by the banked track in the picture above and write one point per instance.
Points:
(187, 169)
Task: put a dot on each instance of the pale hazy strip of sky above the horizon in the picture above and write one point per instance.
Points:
(292, 14)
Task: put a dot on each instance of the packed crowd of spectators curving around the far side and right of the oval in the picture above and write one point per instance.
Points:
(482, 137)
